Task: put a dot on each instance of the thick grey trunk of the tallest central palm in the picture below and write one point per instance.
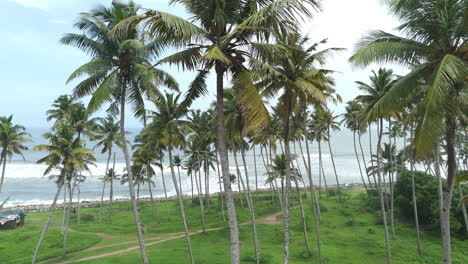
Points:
(233, 228)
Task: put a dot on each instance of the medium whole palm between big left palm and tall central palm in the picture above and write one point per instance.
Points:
(169, 128)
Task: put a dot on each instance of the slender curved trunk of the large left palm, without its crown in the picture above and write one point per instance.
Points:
(131, 186)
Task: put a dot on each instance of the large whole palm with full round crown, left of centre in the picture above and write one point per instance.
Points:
(119, 71)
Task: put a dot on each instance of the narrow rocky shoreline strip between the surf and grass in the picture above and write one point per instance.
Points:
(29, 208)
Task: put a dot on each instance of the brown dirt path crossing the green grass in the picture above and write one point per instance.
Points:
(267, 220)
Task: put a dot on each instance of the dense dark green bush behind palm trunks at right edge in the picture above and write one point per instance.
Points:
(427, 200)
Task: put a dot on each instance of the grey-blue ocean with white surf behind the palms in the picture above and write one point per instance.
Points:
(25, 183)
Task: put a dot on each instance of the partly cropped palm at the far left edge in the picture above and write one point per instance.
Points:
(12, 139)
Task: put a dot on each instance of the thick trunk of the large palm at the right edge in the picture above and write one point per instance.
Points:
(447, 195)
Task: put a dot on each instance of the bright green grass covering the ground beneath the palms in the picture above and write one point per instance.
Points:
(351, 233)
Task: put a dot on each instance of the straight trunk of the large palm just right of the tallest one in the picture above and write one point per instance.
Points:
(287, 176)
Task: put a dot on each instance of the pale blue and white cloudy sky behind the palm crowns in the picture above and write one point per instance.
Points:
(34, 66)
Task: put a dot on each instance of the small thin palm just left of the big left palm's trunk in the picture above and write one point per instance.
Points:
(107, 135)
